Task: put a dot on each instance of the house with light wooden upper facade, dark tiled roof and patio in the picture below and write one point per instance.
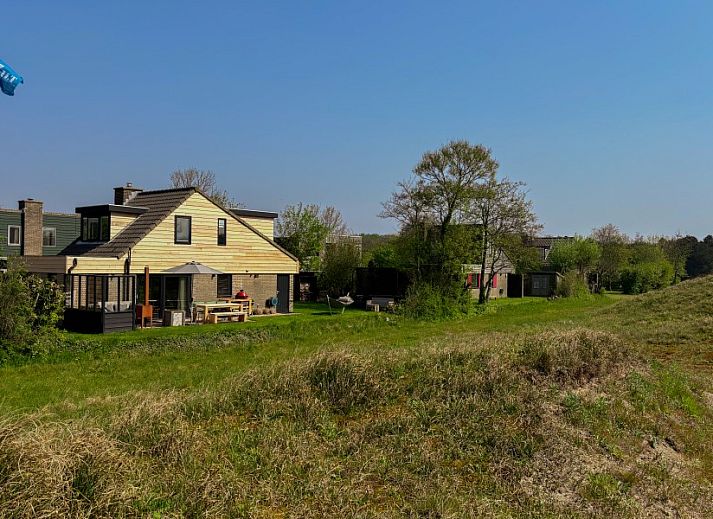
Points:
(162, 231)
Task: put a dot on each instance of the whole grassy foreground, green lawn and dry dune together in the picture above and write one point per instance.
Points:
(543, 409)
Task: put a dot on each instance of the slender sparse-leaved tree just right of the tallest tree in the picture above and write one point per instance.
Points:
(503, 216)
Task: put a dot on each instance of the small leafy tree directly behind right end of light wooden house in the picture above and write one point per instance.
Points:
(303, 233)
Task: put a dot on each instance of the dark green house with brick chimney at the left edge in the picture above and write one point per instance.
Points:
(29, 230)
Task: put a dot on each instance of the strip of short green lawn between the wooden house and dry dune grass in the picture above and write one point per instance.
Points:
(99, 367)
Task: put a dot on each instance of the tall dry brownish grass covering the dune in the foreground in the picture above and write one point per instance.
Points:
(462, 427)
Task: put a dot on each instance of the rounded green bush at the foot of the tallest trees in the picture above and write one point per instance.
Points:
(428, 302)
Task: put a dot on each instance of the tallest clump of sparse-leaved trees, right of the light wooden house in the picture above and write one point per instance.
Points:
(453, 211)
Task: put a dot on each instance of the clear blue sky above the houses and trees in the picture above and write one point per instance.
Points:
(605, 109)
